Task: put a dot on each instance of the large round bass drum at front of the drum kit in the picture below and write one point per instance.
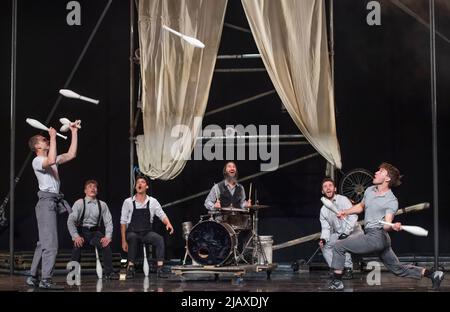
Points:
(211, 243)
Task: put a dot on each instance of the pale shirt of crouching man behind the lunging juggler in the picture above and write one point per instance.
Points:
(331, 223)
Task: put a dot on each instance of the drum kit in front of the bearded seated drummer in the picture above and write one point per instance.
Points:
(214, 240)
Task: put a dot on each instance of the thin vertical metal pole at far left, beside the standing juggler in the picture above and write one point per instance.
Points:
(13, 135)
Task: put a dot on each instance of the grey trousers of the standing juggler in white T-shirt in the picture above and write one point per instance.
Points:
(48, 206)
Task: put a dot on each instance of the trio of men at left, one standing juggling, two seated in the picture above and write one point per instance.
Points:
(86, 215)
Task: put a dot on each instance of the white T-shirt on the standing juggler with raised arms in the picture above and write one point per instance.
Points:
(48, 178)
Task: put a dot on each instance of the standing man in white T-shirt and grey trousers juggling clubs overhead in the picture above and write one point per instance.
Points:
(51, 201)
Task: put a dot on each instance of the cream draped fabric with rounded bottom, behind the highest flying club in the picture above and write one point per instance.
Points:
(176, 78)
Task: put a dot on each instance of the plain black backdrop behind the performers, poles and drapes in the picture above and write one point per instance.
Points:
(382, 112)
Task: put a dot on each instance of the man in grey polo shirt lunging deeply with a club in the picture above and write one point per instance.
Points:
(379, 203)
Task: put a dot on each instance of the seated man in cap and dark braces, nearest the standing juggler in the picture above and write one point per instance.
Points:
(84, 227)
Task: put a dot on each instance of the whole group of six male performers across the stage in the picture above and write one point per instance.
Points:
(338, 241)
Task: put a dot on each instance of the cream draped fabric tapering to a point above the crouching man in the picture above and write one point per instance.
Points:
(292, 39)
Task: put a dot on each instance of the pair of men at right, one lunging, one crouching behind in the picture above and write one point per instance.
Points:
(339, 240)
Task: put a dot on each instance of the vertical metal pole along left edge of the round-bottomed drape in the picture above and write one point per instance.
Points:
(131, 95)
